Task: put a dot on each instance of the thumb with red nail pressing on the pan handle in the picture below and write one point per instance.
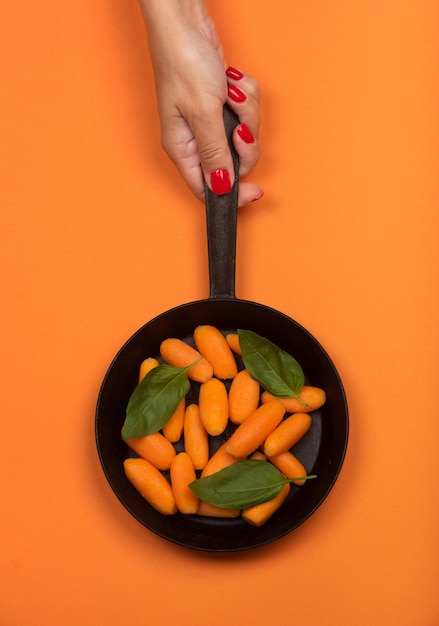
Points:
(213, 150)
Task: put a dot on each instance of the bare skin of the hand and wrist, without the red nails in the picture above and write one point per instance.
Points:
(191, 89)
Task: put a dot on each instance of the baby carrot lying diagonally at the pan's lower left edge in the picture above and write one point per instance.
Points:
(151, 484)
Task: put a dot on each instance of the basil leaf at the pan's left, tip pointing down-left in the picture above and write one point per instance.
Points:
(154, 400)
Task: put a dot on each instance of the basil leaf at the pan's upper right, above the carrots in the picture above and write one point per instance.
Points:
(276, 370)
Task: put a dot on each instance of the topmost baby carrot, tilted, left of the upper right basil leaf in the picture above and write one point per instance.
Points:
(212, 344)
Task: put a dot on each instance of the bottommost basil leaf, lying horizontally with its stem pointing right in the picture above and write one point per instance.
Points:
(241, 485)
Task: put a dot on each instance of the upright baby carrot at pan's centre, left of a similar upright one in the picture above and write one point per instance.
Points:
(214, 406)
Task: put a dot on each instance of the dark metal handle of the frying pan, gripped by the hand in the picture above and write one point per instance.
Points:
(221, 219)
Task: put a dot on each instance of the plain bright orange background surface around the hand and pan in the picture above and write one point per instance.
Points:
(99, 234)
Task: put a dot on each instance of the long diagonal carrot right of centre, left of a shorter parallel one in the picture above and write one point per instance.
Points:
(255, 429)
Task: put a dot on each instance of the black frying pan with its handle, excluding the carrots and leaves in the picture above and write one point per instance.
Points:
(323, 448)
